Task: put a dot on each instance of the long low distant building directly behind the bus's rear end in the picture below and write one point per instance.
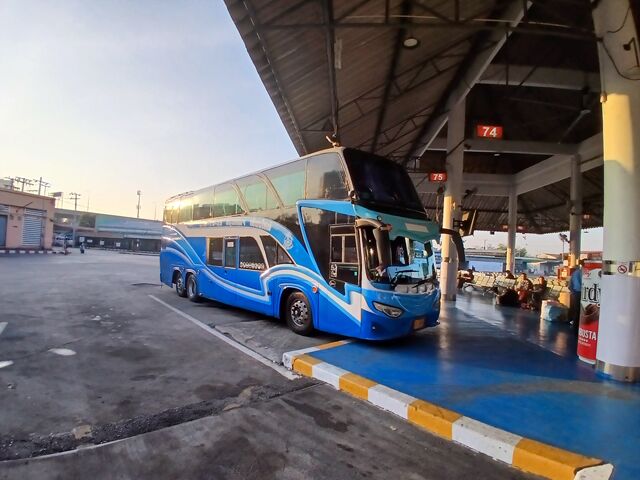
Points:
(99, 230)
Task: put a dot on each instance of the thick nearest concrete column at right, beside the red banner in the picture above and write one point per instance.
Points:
(618, 354)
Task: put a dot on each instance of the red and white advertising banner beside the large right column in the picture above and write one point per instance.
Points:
(589, 311)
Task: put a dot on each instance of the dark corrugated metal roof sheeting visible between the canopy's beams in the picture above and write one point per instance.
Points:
(356, 78)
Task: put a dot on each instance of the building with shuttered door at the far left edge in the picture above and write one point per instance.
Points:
(26, 220)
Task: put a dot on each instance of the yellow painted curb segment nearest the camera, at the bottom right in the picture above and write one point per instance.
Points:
(548, 461)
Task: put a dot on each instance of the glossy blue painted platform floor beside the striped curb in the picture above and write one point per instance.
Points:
(505, 367)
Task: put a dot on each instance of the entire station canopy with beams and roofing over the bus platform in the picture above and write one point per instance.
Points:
(382, 76)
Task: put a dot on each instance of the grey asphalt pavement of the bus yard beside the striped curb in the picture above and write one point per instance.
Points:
(106, 374)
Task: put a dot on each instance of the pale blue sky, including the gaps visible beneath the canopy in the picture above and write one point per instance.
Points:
(108, 98)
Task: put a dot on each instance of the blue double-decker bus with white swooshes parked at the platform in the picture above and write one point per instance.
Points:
(336, 241)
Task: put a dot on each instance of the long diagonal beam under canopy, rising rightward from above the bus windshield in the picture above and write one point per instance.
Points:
(470, 72)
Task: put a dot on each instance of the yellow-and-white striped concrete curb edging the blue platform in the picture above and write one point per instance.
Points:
(520, 452)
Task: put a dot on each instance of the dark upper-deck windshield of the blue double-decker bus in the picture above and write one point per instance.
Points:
(380, 182)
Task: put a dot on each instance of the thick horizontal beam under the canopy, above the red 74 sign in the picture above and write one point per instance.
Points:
(540, 77)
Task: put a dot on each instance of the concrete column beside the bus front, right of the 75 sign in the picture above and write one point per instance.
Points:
(452, 200)
